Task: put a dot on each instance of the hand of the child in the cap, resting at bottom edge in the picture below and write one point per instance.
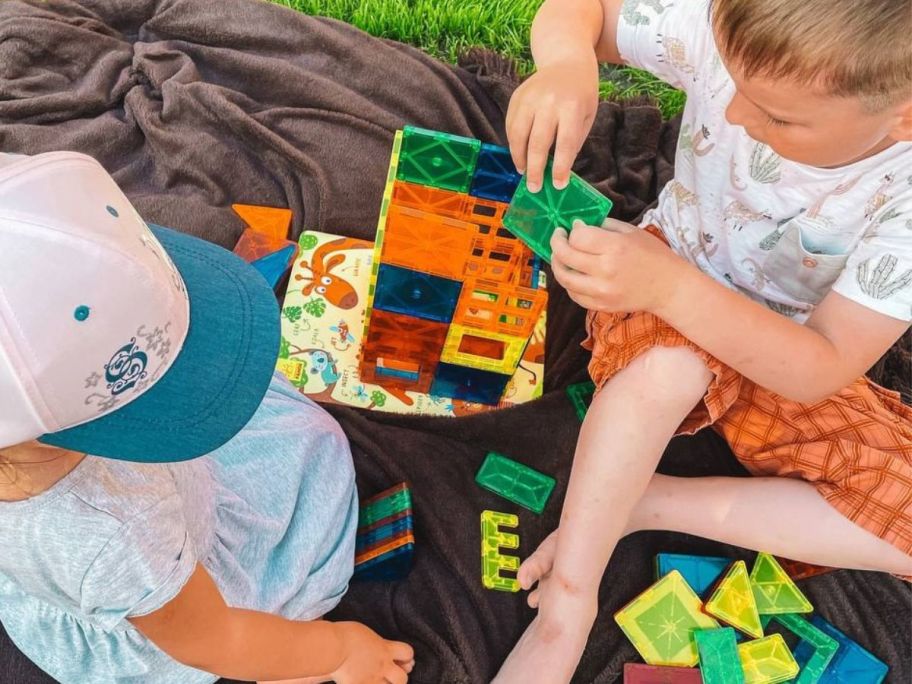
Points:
(371, 659)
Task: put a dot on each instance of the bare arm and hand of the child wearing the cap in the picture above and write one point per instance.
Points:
(197, 628)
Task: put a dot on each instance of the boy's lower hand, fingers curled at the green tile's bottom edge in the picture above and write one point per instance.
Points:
(617, 268)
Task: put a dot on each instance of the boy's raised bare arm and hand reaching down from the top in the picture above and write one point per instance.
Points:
(558, 103)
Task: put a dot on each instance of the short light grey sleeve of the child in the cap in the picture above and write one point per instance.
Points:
(143, 566)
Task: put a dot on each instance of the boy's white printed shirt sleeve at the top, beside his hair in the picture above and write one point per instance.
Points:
(670, 38)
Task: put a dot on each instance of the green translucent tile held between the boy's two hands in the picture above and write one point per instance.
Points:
(533, 217)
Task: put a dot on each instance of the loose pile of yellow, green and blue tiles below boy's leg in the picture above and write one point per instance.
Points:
(674, 630)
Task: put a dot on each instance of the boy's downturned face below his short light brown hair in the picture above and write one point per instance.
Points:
(811, 127)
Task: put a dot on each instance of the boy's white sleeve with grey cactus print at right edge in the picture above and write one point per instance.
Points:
(878, 273)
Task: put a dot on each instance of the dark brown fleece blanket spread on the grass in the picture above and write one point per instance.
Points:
(193, 105)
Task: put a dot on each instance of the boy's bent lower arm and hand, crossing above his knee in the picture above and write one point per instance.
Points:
(625, 269)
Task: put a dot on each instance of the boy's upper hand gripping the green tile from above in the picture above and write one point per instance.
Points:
(557, 103)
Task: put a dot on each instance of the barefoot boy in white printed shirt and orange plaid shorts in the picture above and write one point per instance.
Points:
(789, 273)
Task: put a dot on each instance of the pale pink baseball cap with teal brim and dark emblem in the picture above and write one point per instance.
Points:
(119, 338)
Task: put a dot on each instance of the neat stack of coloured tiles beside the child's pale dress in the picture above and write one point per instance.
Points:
(385, 539)
